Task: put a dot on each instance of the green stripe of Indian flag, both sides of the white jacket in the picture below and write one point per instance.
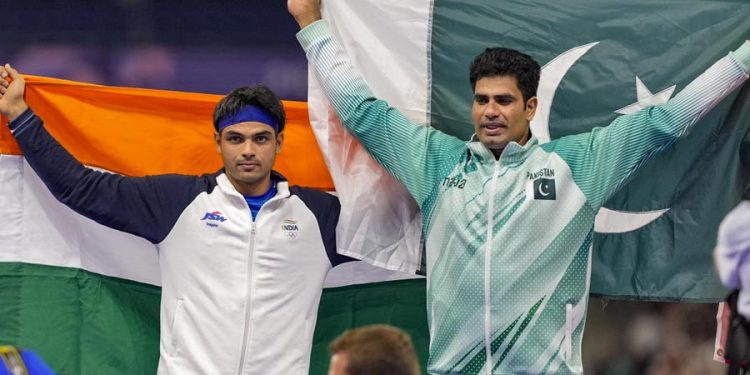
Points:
(84, 323)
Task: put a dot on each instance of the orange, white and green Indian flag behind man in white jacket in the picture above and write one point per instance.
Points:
(86, 297)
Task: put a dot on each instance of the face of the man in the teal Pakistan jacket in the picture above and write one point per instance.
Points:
(500, 114)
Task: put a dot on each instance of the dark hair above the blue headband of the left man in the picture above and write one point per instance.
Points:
(260, 96)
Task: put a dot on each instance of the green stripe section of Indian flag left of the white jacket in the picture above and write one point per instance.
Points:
(80, 322)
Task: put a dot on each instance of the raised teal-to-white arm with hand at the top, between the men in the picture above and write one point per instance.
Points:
(411, 152)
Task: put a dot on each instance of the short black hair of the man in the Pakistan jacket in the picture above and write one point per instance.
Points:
(500, 61)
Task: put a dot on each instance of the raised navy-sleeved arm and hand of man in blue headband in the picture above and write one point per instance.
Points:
(147, 207)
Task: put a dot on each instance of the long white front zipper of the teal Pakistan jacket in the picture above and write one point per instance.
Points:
(487, 269)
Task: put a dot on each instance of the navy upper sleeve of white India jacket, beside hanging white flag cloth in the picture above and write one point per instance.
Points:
(326, 208)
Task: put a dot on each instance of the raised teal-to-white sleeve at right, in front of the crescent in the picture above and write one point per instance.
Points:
(603, 159)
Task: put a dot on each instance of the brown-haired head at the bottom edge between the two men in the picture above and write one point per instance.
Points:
(377, 349)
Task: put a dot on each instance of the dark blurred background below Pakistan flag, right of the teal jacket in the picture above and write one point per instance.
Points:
(651, 338)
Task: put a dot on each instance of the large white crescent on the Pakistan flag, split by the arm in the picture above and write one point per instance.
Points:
(607, 221)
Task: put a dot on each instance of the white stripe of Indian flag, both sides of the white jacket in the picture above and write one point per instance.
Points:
(40, 230)
